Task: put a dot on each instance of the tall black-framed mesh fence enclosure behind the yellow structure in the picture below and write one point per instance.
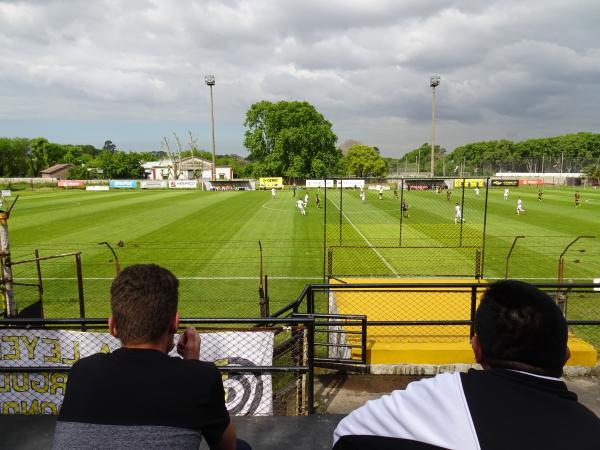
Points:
(405, 227)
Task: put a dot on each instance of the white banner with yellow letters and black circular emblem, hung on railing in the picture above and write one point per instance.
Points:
(42, 392)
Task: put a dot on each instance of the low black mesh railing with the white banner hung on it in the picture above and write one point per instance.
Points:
(266, 367)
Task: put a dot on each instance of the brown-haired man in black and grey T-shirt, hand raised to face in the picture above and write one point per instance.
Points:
(138, 396)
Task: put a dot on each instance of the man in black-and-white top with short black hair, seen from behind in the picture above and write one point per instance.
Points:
(516, 402)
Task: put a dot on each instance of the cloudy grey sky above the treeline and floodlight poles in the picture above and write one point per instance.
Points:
(84, 71)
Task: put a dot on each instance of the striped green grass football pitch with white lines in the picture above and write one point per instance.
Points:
(210, 241)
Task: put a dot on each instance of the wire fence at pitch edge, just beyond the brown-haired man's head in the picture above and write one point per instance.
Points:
(217, 278)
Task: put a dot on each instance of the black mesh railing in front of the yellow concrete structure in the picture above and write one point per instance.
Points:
(423, 322)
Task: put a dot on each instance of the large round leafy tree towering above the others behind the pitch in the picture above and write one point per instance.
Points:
(290, 139)
